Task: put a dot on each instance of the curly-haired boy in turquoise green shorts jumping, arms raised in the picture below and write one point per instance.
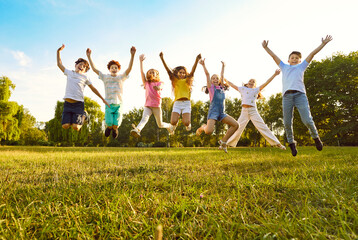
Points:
(113, 84)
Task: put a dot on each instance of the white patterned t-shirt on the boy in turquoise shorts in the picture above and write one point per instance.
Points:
(113, 87)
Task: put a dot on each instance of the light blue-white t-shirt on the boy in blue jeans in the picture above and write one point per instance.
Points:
(292, 76)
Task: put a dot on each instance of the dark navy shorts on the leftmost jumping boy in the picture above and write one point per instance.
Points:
(73, 113)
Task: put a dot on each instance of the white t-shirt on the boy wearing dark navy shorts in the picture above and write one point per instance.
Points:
(75, 86)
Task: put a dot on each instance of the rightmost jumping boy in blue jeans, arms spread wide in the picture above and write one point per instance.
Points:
(294, 92)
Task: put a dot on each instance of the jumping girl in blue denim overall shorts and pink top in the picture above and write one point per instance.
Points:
(216, 89)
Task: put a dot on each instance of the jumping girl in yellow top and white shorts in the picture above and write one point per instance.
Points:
(181, 84)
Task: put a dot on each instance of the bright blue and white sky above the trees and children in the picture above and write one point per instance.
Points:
(228, 30)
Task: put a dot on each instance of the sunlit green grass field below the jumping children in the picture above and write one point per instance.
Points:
(194, 193)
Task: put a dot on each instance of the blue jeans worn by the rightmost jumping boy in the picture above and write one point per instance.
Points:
(300, 101)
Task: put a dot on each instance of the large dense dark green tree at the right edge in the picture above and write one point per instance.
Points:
(332, 90)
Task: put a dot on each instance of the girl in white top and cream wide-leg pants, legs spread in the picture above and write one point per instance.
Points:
(249, 94)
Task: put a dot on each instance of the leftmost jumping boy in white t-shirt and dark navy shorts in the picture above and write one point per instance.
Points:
(73, 111)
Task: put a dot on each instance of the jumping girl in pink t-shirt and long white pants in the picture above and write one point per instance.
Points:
(153, 100)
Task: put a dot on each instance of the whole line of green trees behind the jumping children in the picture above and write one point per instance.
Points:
(331, 85)
